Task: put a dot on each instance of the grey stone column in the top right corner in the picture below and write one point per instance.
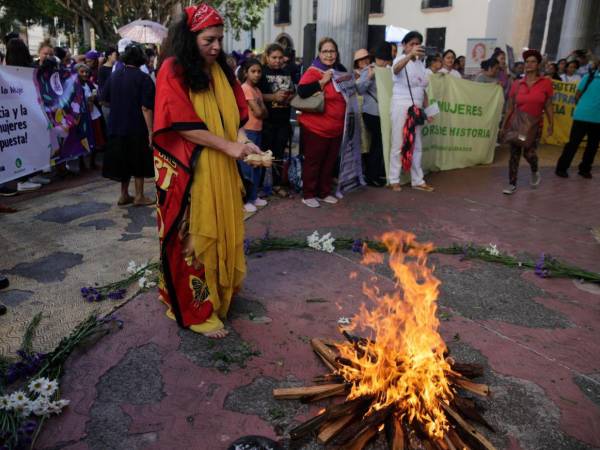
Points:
(576, 31)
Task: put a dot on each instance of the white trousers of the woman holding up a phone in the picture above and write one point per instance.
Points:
(399, 110)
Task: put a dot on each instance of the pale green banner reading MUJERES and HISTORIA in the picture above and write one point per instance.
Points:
(464, 134)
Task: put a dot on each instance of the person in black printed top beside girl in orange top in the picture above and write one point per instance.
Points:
(277, 88)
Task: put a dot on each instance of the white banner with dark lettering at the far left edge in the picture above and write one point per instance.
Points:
(24, 136)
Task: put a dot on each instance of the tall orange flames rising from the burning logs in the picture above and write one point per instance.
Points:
(402, 362)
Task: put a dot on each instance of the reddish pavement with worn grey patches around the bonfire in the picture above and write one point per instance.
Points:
(154, 386)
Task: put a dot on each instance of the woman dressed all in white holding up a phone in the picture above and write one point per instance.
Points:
(410, 80)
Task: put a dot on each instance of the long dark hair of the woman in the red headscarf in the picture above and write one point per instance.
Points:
(181, 44)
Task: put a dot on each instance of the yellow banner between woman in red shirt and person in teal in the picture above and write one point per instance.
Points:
(563, 103)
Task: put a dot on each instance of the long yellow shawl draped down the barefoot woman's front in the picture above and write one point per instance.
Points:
(216, 215)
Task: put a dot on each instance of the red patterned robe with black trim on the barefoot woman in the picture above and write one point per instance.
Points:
(181, 286)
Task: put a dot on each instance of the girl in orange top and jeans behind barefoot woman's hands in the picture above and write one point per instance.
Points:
(250, 75)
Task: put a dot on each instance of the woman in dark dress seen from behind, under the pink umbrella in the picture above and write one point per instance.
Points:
(130, 94)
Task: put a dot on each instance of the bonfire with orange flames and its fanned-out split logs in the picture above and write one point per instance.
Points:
(398, 379)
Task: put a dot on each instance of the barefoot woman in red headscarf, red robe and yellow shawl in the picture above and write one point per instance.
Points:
(199, 113)
